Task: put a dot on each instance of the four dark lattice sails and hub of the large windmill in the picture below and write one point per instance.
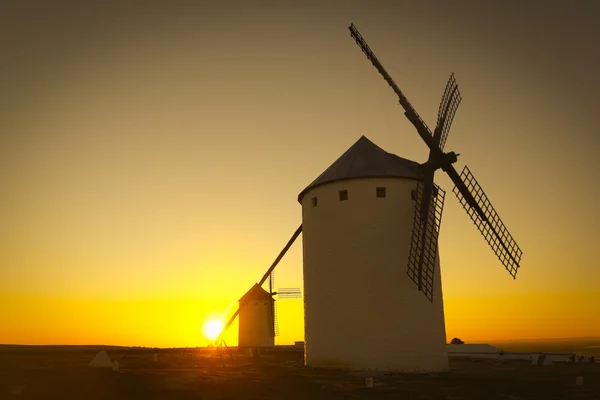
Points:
(429, 198)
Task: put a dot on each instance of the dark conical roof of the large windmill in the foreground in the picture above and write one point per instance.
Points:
(366, 159)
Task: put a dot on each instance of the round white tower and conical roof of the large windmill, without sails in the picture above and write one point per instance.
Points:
(362, 311)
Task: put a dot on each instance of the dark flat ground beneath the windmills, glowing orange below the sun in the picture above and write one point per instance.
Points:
(201, 374)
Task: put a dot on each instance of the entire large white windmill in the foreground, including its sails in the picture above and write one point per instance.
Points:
(363, 220)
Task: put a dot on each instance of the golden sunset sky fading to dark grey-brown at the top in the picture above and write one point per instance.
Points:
(150, 156)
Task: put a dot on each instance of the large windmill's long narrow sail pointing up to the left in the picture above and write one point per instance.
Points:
(410, 111)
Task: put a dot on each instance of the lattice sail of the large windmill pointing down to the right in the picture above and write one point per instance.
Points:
(493, 230)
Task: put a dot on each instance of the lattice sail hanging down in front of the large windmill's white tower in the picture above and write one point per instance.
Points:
(429, 247)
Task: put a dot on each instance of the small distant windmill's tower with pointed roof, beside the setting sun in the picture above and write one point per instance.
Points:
(255, 320)
